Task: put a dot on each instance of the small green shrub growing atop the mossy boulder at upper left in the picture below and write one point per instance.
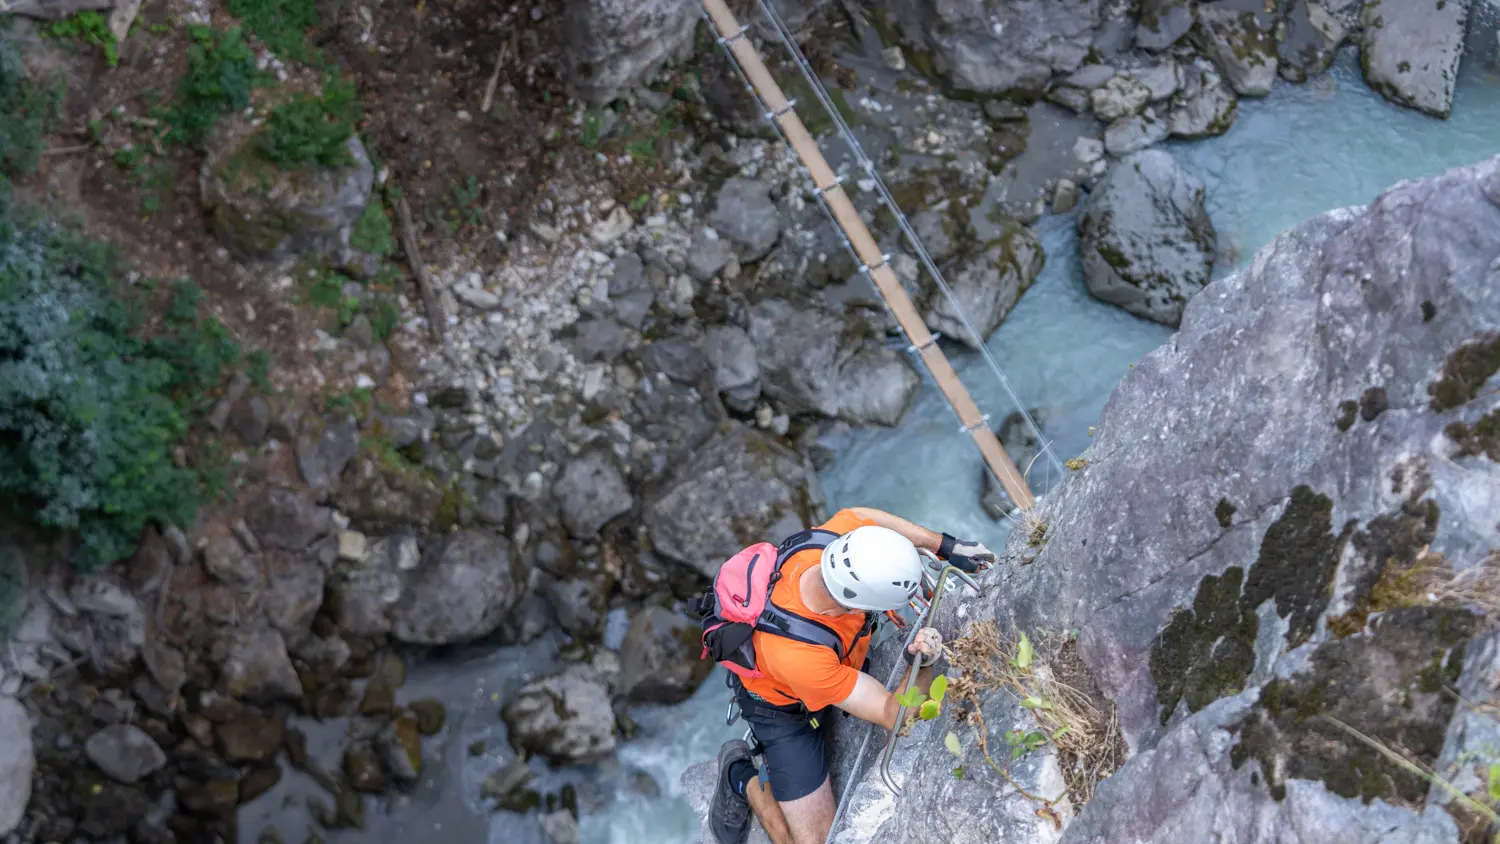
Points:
(311, 130)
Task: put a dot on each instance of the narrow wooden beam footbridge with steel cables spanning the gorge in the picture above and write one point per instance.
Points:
(827, 187)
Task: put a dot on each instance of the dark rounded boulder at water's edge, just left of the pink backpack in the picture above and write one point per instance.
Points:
(661, 660)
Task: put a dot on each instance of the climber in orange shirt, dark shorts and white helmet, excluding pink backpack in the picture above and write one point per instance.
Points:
(872, 566)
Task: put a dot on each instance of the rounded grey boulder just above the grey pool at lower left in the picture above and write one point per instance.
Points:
(461, 593)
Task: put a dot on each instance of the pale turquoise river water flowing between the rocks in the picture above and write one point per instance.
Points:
(1304, 151)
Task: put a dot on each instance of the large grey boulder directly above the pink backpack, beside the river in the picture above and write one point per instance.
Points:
(695, 524)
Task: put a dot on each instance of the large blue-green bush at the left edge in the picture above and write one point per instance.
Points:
(89, 412)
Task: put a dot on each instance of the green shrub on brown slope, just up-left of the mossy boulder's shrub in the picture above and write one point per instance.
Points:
(221, 73)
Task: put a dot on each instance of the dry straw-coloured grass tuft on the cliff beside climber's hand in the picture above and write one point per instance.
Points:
(1058, 692)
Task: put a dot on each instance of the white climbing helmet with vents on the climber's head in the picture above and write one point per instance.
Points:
(872, 569)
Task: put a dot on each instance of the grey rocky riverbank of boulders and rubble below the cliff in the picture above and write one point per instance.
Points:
(629, 392)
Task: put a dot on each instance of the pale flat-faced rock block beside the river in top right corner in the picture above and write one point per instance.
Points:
(1411, 52)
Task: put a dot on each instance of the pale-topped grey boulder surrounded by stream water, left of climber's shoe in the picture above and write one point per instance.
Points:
(566, 717)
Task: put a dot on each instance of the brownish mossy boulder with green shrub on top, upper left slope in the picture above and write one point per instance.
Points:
(266, 212)
